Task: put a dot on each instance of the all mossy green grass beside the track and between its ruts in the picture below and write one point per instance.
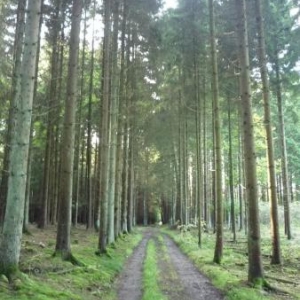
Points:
(45, 277)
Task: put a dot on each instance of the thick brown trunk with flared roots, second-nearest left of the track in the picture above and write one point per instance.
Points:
(63, 246)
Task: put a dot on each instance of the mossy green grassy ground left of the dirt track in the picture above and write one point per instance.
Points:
(49, 277)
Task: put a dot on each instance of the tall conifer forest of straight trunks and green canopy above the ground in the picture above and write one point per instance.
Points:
(117, 114)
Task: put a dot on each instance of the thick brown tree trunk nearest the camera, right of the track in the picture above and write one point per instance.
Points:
(255, 269)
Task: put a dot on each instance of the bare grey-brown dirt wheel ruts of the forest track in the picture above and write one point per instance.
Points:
(179, 278)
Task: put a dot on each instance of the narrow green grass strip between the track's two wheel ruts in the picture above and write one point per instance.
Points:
(150, 275)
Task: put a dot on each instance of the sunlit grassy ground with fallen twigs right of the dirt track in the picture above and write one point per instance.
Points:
(231, 275)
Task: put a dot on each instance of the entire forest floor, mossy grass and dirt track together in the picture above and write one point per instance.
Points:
(121, 274)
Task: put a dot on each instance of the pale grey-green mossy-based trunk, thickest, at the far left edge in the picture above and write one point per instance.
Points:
(13, 222)
